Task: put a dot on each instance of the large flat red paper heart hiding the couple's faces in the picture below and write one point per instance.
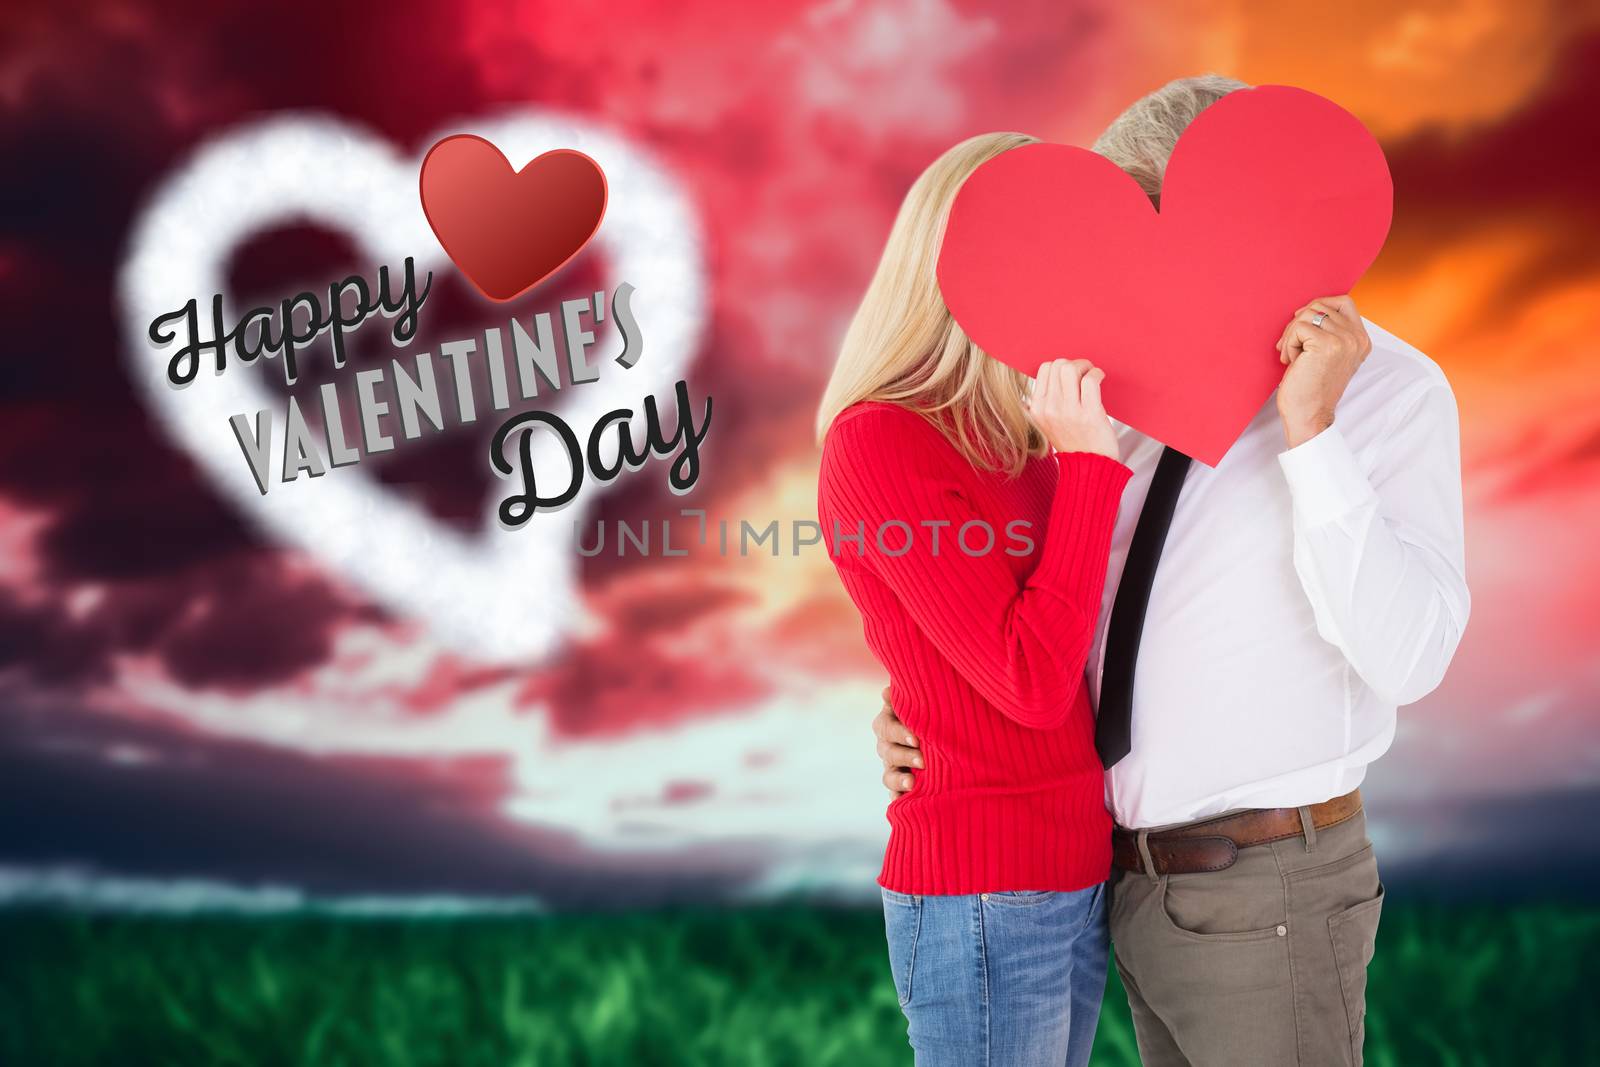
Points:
(1274, 196)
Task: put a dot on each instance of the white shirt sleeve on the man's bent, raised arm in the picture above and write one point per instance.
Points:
(1382, 553)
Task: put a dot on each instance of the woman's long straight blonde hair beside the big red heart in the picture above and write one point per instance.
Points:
(905, 346)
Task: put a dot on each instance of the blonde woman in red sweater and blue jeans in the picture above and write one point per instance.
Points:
(970, 526)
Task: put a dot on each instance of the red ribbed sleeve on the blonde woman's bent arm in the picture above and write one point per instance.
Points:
(1022, 642)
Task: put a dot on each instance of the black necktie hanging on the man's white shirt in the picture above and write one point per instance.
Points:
(1114, 724)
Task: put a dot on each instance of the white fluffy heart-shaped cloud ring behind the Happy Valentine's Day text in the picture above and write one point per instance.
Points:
(498, 594)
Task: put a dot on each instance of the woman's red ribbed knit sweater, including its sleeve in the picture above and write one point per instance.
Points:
(985, 650)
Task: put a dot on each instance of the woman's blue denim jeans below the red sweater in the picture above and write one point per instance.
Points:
(999, 980)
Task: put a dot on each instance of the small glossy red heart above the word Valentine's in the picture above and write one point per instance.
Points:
(506, 230)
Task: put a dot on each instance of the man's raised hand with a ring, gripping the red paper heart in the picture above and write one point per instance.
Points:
(1322, 346)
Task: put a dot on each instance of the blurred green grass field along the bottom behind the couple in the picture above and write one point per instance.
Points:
(750, 988)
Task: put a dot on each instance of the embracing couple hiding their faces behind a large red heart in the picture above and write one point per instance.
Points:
(1145, 722)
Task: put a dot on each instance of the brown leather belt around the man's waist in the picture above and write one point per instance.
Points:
(1215, 844)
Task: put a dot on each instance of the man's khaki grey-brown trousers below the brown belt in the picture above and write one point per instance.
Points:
(1263, 964)
